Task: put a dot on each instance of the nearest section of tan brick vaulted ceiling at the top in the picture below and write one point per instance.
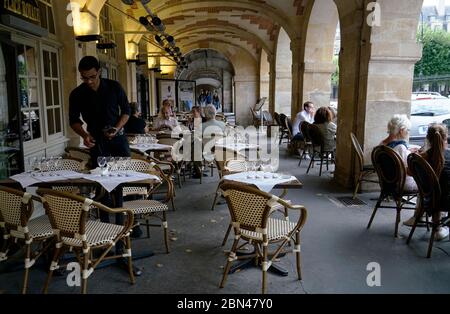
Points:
(250, 25)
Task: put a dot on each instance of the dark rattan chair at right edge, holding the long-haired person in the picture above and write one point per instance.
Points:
(430, 199)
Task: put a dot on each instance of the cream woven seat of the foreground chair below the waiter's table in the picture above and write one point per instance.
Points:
(97, 234)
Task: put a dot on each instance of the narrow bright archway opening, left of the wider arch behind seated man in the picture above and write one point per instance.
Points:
(283, 81)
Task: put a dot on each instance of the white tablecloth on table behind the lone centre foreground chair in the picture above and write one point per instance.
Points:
(265, 181)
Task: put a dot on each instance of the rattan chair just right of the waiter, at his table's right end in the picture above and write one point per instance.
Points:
(145, 208)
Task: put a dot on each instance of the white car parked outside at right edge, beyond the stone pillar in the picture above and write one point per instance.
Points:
(425, 111)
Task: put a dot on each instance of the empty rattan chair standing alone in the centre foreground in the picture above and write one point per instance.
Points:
(254, 223)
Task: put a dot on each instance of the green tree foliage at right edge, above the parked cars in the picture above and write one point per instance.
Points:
(436, 53)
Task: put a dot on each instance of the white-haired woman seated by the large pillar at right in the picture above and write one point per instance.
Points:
(398, 130)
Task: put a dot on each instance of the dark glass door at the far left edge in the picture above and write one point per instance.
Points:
(11, 148)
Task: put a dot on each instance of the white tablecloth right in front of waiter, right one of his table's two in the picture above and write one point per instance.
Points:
(111, 182)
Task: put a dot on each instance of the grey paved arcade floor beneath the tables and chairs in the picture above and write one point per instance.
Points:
(336, 250)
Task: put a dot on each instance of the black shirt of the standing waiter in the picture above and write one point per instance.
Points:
(100, 108)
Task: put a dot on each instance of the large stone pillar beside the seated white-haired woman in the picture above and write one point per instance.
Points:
(376, 64)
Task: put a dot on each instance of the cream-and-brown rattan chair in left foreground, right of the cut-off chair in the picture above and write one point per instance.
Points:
(69, 219)
